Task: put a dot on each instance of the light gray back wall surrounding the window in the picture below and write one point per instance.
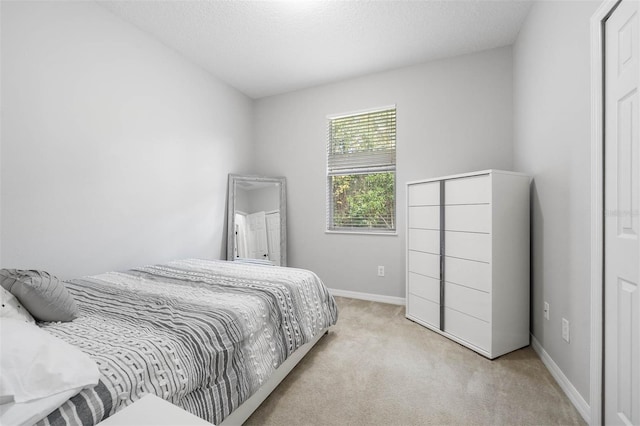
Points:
(453, 116)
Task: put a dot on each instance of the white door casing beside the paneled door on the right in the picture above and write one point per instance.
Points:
(597, 207)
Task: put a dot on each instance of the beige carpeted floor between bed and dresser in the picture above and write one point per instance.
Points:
(375, 367)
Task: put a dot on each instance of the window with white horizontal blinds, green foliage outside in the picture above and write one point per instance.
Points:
(361, 172)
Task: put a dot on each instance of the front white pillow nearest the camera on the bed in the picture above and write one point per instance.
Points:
(36, 364)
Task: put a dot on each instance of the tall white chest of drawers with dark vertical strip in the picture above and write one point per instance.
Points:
(468, 259)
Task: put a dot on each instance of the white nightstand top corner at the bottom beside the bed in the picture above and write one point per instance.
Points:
(153, 411)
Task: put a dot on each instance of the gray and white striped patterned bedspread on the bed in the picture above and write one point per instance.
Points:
(201, 334)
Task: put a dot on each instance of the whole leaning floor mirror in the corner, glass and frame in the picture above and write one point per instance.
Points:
(256, 220)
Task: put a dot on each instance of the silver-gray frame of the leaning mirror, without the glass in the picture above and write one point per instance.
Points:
(231, 205)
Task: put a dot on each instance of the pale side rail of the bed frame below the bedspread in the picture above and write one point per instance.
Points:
(244, 411)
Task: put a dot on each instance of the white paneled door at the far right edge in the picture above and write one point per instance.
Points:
(622, 190)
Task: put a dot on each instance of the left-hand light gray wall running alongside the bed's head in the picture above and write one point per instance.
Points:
(115, 150)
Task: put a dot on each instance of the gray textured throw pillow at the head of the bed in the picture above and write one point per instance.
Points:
(45, 296)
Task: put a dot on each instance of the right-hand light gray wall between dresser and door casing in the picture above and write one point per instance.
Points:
(552, 143)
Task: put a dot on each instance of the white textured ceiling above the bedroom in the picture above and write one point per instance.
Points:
(264, 48)
